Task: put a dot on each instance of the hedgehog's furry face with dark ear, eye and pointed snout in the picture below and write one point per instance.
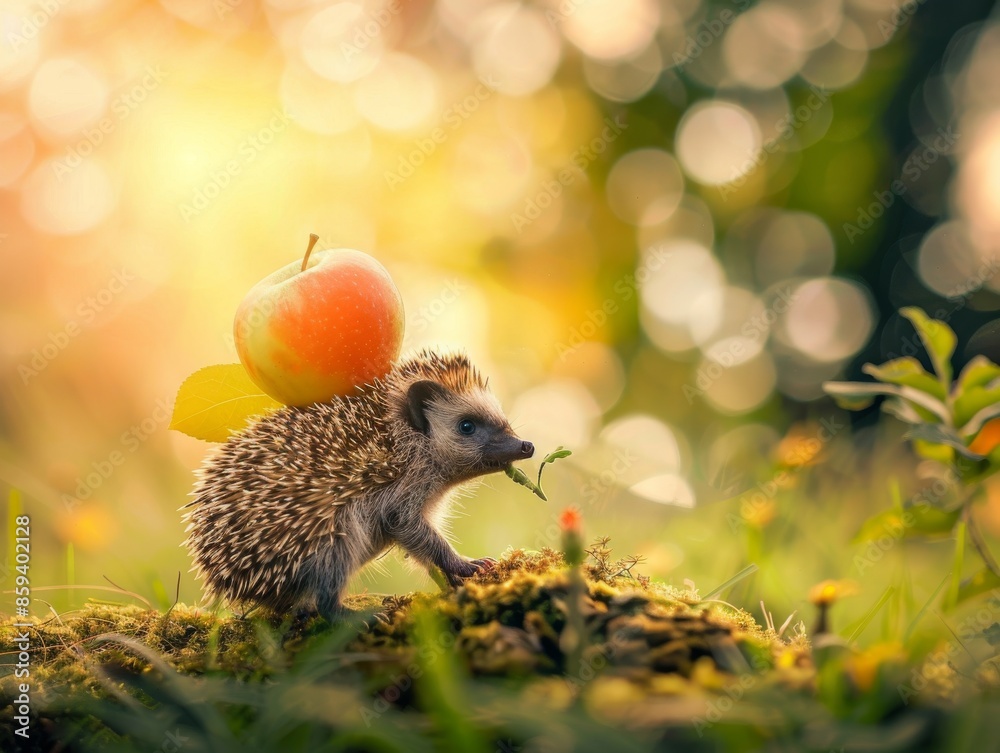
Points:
(468, 432)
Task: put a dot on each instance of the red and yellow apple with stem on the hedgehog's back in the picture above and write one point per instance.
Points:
(320, 327)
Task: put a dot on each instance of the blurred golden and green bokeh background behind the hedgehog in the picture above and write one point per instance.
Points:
(658, 227)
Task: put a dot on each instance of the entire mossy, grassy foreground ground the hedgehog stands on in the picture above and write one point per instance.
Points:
(521, 657)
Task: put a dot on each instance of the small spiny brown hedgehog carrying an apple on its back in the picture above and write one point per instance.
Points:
(291, 507)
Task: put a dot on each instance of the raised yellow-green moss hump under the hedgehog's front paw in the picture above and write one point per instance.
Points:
(518, 619)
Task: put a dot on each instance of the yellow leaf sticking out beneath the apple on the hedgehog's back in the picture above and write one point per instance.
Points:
(218, 400)
